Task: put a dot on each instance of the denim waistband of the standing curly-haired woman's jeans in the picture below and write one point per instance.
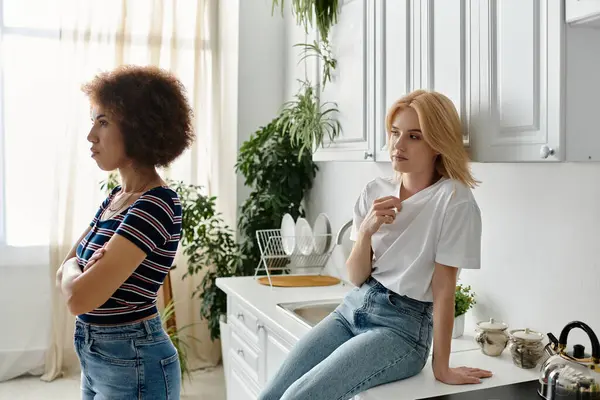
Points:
(146, 328)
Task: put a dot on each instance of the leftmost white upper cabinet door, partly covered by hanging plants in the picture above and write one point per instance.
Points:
(352, 84)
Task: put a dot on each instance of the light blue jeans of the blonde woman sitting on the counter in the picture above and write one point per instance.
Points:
(374, 337)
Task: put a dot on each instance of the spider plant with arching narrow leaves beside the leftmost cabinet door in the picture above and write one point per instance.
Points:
(307, 122)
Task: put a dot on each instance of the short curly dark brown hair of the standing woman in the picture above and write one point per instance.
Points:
(151, 108)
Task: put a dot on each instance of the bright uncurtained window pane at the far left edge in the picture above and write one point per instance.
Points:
(29, 41)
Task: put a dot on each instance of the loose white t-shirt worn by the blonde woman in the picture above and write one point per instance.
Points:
(441, 223)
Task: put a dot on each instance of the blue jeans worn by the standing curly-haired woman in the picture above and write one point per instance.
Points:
(132, 361)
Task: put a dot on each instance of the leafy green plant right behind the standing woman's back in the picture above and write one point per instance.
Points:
(209, 245)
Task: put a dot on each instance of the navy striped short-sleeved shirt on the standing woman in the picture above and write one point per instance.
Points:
(152, 223)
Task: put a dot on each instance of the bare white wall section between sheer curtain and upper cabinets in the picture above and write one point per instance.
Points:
(252, 78)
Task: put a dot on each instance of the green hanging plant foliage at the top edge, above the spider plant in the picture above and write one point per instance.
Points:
(324, 12)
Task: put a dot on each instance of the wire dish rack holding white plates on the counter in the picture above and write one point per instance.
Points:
(273, 257)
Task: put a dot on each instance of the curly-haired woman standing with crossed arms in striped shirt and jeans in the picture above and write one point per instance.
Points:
(141, 120)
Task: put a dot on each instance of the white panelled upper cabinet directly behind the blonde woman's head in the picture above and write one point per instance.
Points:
(505, 82)
